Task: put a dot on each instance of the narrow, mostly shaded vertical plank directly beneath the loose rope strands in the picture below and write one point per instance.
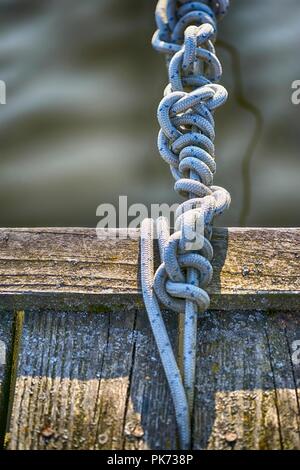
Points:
(150, 421)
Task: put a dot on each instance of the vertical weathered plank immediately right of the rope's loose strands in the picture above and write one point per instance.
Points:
(235, 404)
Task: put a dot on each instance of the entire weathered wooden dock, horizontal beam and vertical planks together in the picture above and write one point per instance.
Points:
(87, 374)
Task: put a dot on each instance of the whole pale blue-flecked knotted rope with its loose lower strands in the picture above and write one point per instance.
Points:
(186, 34)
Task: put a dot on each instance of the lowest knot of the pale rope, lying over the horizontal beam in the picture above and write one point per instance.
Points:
(193, 233)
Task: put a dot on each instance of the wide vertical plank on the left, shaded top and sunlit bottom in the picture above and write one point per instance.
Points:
(57, 380)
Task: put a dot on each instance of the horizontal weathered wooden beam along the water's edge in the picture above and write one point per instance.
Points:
(53, 268)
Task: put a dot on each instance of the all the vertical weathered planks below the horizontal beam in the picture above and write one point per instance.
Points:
(87, 381)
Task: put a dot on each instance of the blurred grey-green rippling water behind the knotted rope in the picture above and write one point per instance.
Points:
(83, 84)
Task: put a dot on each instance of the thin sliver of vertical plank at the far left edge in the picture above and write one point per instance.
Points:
(6, 335)
